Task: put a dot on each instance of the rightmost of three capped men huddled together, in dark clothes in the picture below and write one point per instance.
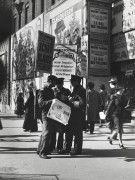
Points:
(77, 118)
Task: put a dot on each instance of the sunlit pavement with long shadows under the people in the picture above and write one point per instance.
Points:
(99, 160)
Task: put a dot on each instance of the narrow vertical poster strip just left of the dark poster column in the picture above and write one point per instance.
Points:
(84, 57)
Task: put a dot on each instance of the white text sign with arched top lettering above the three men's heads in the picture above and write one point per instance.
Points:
(64, 63)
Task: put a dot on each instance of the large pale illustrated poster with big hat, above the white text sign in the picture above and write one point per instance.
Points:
(66, 26)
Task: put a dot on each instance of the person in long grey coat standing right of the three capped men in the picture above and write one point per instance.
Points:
(93, 106)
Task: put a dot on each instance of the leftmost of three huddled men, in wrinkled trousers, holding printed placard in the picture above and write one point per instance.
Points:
(45, 98)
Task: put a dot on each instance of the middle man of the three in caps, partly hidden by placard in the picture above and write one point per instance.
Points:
(61, 94)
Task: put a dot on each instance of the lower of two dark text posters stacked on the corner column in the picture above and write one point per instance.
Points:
(99, 57)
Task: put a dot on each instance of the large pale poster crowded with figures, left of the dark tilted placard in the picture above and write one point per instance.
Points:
(24, 49)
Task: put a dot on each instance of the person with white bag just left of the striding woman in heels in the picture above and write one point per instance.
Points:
(103, 97)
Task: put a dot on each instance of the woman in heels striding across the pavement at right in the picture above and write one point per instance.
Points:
(114, 111)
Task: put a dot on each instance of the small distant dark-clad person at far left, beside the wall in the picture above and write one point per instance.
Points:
(20, 105)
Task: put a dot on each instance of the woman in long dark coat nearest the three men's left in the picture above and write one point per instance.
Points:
(30, 123)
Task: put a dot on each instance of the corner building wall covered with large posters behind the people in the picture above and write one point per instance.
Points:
(79, 26)
